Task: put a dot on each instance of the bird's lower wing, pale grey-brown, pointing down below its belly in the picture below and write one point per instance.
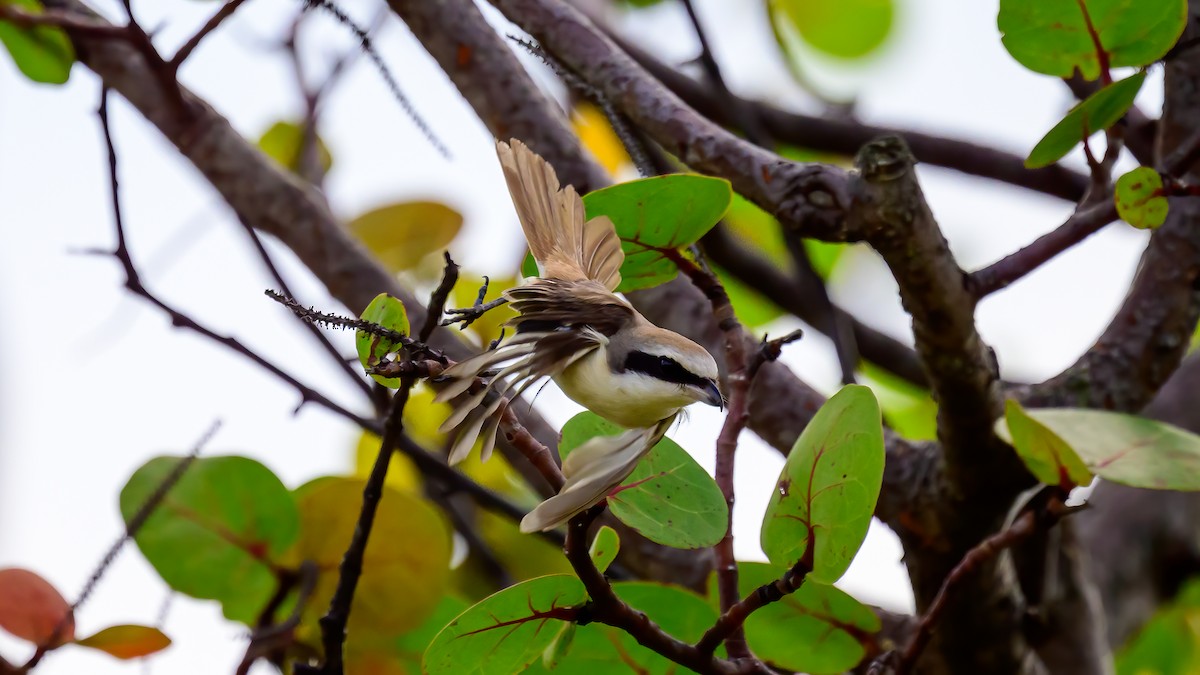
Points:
(592, 473)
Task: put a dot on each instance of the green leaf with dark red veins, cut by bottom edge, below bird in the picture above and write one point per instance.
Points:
(508, 631)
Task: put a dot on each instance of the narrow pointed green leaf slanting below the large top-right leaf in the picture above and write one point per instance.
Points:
(1094, 115)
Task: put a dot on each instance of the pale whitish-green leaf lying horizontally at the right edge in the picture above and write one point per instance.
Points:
(1124, 449)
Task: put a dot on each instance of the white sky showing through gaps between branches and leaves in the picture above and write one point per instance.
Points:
(93, 383)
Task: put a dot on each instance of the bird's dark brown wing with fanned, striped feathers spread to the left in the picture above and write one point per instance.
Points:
(559, 322)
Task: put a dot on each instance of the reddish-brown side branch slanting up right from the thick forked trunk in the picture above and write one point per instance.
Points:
(1082, 225)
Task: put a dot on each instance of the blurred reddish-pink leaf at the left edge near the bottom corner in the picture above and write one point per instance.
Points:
(31, 608)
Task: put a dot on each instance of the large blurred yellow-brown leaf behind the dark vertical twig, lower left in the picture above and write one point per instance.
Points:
(406, 566)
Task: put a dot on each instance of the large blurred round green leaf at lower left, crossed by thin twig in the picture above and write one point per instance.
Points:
(219, 530)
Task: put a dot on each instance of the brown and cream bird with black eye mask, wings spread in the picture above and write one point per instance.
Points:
(573, 328)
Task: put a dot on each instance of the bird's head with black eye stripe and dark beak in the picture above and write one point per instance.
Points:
(668, 360)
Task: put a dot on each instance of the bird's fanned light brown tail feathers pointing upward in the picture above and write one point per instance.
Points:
(563, 244)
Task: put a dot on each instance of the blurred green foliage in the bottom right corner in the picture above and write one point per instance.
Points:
(1169, 644)
